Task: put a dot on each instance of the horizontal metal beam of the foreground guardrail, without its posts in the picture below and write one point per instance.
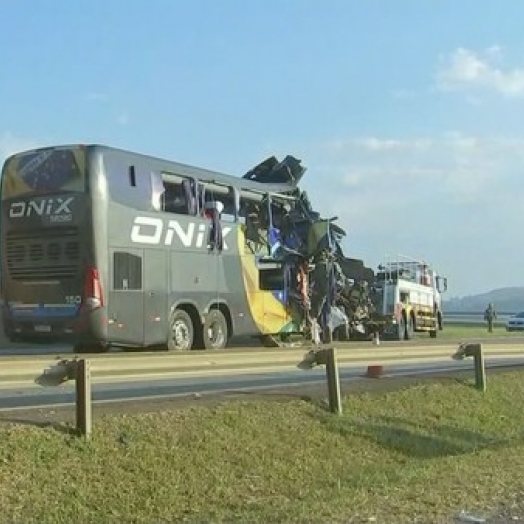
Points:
(17, 372)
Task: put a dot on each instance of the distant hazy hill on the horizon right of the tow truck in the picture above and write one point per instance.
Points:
(506, 300)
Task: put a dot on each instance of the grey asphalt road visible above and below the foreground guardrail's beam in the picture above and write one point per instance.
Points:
(187, 387)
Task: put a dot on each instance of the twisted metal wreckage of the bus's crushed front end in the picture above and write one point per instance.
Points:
(327, 294)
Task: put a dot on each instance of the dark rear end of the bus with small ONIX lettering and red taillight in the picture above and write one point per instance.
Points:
(47, 282)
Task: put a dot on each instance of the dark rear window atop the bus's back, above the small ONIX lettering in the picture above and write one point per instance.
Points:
(45, 171)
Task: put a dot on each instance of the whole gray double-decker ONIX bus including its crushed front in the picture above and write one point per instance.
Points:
(108, 247)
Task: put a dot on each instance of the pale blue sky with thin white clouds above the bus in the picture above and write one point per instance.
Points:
(408, 114)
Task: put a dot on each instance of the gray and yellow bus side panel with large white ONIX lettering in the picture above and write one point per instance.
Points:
(194, 275)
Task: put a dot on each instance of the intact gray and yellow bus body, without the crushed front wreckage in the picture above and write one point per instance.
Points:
(106, 251)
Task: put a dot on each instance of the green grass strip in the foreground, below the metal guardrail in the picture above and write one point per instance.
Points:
(423, 452)
